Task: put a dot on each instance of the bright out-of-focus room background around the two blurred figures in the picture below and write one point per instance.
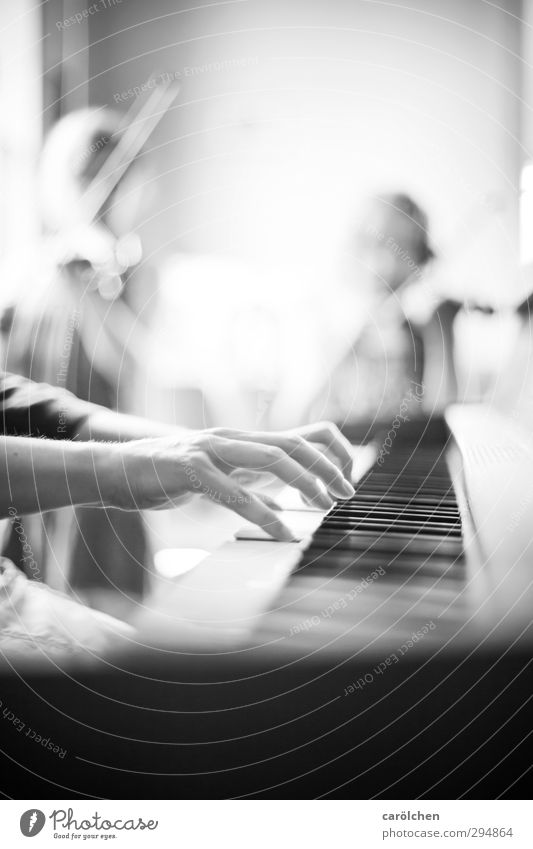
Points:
(288, 116)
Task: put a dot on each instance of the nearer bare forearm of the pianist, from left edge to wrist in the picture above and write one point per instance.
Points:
(44, 474)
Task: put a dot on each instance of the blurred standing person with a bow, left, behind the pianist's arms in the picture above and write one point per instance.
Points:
(83, 327)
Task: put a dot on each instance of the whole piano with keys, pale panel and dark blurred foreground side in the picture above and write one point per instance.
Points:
(386, 654)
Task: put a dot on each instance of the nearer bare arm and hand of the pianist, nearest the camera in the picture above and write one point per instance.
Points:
(42, 475)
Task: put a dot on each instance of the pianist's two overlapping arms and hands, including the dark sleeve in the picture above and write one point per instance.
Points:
(135, 474)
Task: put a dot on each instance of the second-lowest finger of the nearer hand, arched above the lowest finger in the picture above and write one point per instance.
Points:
(271, 458)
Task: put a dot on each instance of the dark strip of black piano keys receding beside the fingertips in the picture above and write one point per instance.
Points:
(383, 564)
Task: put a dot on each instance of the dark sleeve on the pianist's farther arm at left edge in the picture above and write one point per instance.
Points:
(36, 409)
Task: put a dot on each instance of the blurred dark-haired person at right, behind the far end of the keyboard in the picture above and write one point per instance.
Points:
(401, 356)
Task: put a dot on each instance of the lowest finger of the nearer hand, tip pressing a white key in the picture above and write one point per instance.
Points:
(223, 490)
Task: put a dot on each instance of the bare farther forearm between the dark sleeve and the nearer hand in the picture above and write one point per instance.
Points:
(105, 425)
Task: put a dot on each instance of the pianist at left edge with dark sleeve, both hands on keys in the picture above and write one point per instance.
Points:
(57, 450)
